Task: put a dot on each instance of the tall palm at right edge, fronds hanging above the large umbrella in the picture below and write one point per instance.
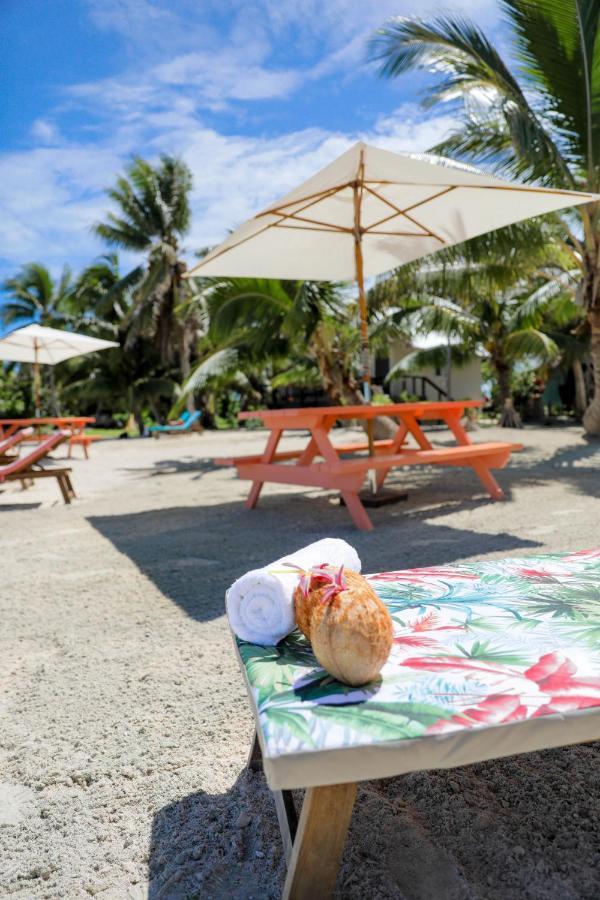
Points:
(539, 120)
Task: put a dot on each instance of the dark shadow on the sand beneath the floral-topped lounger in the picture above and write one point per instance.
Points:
(499, 830)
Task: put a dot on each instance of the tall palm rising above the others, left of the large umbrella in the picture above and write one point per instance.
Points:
(153, 215)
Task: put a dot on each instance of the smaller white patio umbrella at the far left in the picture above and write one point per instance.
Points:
(39, 345)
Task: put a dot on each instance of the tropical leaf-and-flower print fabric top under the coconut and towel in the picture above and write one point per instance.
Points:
(476, 644)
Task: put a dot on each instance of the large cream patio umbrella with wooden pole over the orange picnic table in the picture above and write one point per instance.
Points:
(370, 211)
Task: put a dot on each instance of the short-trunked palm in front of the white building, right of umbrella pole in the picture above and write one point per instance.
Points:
(481, 293)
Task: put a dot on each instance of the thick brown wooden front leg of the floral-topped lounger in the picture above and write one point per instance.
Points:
(319, 842)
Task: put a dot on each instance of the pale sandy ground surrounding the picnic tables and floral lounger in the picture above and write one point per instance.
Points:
(124, 725)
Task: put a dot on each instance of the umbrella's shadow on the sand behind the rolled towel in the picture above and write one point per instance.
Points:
(193, 554)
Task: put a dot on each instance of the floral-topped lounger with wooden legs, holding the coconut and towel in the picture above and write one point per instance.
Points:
(489, 659)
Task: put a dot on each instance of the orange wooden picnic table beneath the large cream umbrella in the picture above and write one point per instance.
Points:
(322, 464)
